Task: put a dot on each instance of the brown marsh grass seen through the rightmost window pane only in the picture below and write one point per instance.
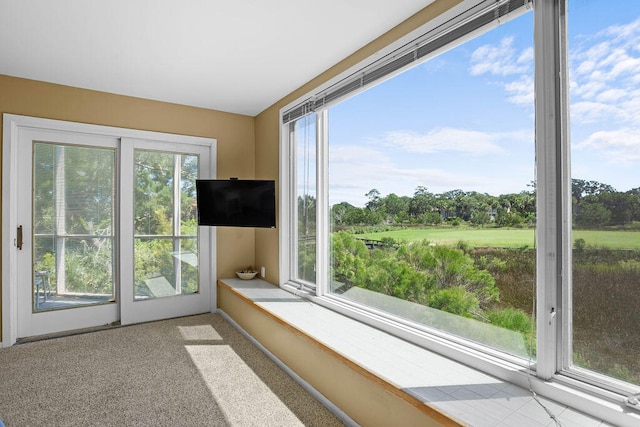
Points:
(606, 298)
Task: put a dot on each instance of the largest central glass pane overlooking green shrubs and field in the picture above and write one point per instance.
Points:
(431, 194)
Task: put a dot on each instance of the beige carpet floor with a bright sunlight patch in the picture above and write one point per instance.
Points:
(192, 371)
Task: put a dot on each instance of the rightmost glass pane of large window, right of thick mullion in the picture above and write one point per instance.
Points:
(604, 58)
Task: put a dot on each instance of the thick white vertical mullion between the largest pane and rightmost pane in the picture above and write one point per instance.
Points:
(552, 185)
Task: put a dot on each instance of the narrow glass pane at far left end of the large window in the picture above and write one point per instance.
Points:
(304, 139)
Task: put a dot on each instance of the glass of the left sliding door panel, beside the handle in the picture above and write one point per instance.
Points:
(73, 214)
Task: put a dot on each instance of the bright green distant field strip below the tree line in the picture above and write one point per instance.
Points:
(504, 237)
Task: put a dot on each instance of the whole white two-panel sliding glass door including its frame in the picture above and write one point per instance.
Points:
(103, 227)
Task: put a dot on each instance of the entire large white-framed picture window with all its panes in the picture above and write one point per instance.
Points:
(450, 200)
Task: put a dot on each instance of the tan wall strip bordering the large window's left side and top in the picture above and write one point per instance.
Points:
(268, 126)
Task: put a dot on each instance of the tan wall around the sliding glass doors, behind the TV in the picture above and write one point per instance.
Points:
(234, 133)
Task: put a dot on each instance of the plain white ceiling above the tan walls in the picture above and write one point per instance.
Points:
(239, 56)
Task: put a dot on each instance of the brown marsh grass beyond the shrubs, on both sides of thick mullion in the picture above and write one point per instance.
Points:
(606, 297)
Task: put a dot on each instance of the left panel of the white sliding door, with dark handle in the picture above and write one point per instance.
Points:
(66, 211)
